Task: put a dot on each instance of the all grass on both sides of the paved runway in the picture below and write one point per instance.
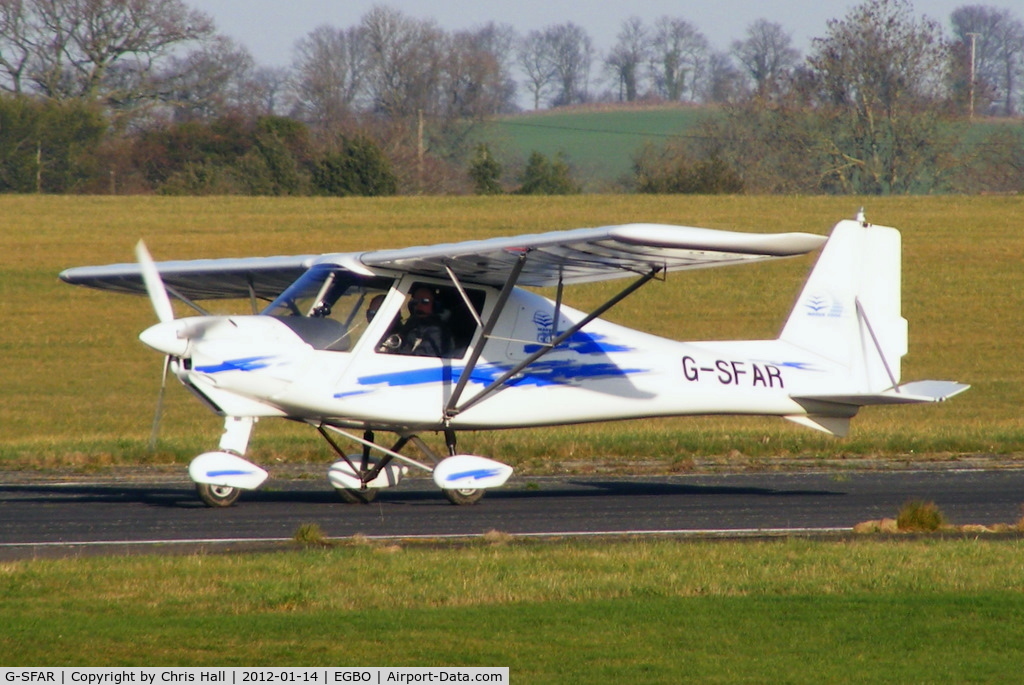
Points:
(79, 390)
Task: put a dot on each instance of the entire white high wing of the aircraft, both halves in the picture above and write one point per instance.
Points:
(570, 256)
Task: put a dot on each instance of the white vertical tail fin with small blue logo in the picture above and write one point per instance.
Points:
(849, 311)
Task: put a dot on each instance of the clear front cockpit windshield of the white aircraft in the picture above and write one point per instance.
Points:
(329, 307)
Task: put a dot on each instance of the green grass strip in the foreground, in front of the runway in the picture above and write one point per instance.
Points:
(666, 612)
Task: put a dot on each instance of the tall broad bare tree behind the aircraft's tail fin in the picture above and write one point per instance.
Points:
(880, 73)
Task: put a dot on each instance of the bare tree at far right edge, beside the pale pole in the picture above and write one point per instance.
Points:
(998, 40)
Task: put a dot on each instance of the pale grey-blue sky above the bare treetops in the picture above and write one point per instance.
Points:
(270, 28)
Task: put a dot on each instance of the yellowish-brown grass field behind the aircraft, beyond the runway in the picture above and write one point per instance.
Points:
(79, 389)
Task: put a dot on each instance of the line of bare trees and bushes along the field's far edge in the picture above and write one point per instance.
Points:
(146, 96)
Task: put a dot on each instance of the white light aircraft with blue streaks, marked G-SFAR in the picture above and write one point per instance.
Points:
(480, 353)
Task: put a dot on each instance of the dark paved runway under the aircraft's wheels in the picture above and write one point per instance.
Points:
(41, 516)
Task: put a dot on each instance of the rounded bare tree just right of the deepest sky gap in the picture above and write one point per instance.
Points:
(328, 74)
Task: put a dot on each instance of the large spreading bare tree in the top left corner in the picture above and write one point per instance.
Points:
(69, 49)
